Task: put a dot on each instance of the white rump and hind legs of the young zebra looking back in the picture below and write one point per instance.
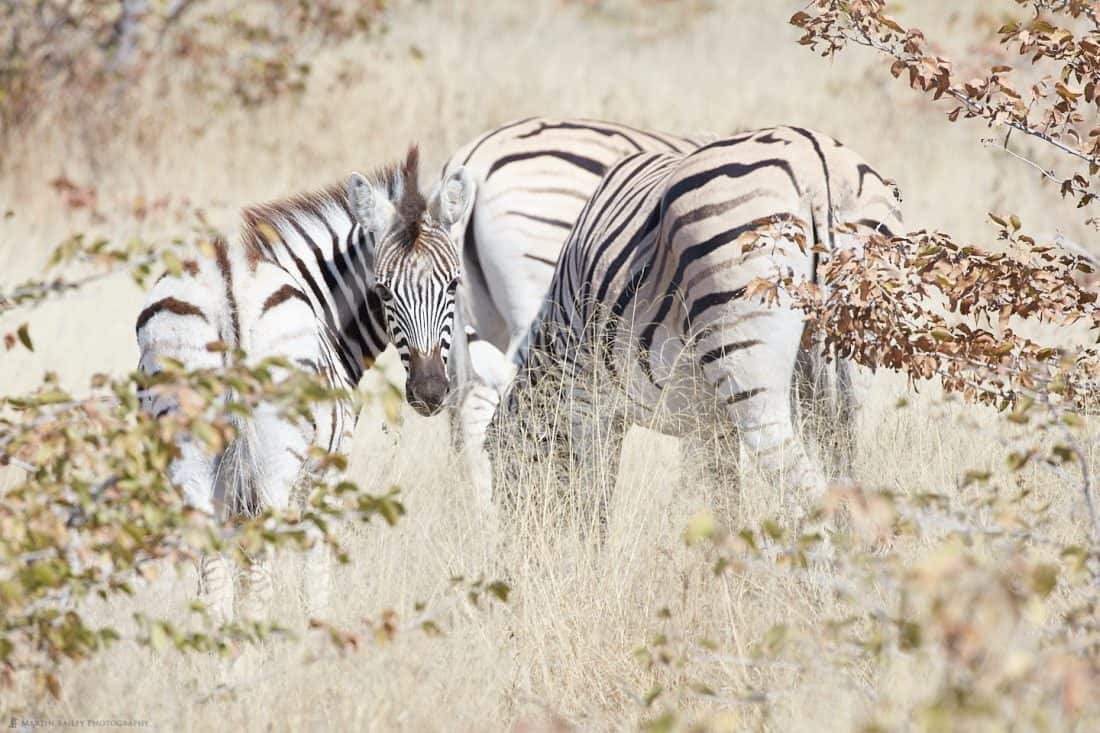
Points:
(252, 304)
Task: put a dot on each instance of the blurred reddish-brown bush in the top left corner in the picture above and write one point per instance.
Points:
(79, 62)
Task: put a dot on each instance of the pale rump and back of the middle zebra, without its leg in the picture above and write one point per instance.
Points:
(533, 179)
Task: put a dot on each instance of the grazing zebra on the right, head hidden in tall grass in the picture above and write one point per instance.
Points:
(652, 288)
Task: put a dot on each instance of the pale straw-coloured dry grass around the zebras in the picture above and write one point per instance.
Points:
(560, 653)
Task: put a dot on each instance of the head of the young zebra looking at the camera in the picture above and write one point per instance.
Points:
(416, 268)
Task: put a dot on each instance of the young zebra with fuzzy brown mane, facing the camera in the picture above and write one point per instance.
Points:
(320, 279)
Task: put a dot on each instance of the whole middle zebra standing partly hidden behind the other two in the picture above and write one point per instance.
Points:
(533, 179)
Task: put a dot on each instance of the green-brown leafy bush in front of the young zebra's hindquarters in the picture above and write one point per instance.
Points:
(95, 512)
